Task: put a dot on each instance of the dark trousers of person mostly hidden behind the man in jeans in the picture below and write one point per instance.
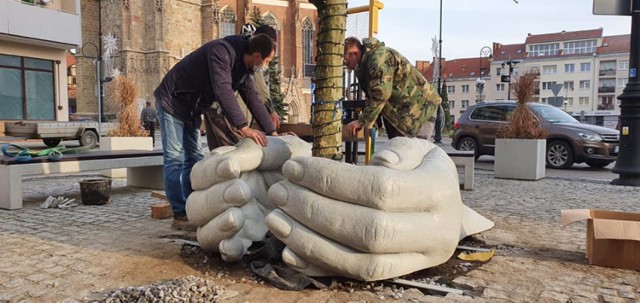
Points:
(219, 131)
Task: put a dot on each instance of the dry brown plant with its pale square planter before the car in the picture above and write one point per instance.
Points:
(521, 144)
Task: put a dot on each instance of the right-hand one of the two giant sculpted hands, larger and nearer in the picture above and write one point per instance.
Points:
(401, 214)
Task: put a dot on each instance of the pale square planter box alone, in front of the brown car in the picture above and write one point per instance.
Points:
(522, 159)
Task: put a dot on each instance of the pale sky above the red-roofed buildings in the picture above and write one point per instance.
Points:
(467, 25)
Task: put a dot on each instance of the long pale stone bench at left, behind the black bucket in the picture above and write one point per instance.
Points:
(144, 169)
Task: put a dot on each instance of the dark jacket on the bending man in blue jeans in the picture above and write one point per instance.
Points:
(211, 73)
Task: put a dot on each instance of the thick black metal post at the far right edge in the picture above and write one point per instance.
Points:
(628, 163)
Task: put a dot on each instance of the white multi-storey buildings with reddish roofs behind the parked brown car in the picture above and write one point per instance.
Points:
(581, 72)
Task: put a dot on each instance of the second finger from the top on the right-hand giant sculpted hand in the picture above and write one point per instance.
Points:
(370, 230)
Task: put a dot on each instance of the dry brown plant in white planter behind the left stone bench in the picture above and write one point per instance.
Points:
(128, 133)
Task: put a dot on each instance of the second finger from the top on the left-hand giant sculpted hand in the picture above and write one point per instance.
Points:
(202, 206)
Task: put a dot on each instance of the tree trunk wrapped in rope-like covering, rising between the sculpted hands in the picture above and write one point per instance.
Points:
(327, 110)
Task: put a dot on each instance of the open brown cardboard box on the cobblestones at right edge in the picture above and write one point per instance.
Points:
(613, 238)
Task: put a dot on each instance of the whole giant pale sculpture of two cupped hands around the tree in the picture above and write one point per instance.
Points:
(401, 214)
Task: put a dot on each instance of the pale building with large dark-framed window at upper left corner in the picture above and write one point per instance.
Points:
(34, 38)
